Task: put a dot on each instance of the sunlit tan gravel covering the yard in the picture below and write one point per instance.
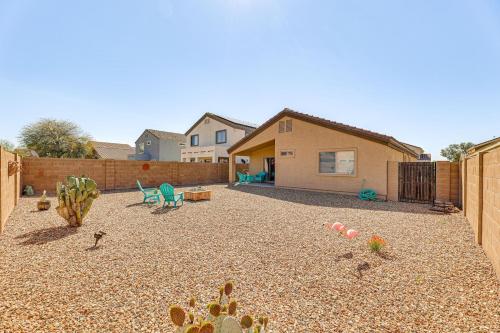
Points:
(272, 243)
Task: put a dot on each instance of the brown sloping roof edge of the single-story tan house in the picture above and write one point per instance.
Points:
(369, 135)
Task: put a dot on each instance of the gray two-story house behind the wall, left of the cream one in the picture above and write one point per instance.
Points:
(154, 145)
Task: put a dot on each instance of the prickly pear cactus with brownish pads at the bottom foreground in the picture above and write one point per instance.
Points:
(218, 317)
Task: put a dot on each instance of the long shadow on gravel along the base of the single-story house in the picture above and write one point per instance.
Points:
(326, 199)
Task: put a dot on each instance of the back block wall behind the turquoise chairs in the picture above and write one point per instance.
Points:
(44, 173)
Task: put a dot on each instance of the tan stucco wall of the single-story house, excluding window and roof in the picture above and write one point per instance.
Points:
(307, 140)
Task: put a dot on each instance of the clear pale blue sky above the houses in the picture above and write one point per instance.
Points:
(425, 72)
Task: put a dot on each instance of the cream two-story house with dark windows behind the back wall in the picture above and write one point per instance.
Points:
(210, 137)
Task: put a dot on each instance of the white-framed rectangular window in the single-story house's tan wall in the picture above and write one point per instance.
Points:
(337, 162)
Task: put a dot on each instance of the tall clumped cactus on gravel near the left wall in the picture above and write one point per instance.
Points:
(75, 199)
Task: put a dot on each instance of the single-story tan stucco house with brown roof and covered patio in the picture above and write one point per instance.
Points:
(306, 152)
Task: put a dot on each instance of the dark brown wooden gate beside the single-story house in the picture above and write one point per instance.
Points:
(417, 182)
